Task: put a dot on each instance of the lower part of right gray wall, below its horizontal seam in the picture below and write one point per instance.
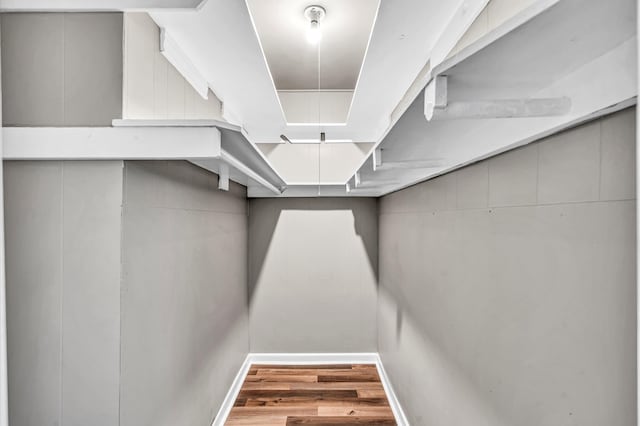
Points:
(521, 315)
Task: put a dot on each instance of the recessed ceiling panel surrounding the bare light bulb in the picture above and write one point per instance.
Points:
(282, 26)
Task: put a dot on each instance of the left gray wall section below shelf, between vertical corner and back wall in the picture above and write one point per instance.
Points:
(184, 293)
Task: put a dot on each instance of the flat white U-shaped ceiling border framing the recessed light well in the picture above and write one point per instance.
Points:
(222, 44)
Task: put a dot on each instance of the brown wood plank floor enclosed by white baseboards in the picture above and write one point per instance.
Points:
(319, 395)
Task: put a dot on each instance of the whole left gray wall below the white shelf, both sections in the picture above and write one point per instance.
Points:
(156, 341)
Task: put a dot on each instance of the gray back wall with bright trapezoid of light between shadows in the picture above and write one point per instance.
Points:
(312, 275)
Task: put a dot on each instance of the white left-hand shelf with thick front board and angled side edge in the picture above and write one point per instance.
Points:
(201, 145)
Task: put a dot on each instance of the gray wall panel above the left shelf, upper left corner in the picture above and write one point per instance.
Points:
(61, 69)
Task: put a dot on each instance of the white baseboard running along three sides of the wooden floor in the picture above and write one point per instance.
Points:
(311, 359)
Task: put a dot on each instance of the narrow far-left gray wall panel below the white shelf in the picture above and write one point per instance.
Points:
(62, 223)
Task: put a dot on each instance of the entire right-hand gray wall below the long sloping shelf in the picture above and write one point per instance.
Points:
(508, 287)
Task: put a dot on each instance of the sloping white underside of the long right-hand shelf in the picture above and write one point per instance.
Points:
(583, 50)
